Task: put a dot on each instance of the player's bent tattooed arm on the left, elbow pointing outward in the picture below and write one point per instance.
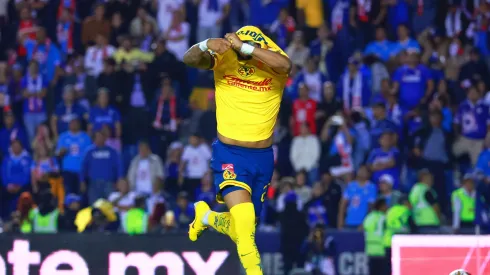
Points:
(198, 56)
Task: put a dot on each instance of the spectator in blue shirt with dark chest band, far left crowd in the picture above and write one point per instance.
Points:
(34, 87)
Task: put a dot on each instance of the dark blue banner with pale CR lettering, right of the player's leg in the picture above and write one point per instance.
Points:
(350, 258)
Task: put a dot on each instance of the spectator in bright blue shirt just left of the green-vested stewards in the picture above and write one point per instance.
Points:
(357, 200)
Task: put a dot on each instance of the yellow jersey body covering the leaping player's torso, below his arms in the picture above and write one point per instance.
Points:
(248, 96)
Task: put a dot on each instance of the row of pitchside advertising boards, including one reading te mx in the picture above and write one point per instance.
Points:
(174, 254)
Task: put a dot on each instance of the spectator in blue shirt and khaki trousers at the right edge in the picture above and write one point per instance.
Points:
(471, 122)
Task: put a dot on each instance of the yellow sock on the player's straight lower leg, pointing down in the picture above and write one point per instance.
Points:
(243, 219)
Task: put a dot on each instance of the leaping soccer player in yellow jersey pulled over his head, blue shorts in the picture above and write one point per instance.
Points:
(250, 72)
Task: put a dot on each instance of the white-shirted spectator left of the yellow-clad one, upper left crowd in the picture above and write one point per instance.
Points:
(96, 55)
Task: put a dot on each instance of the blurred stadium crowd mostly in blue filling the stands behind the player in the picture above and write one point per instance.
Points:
(105, 129)
